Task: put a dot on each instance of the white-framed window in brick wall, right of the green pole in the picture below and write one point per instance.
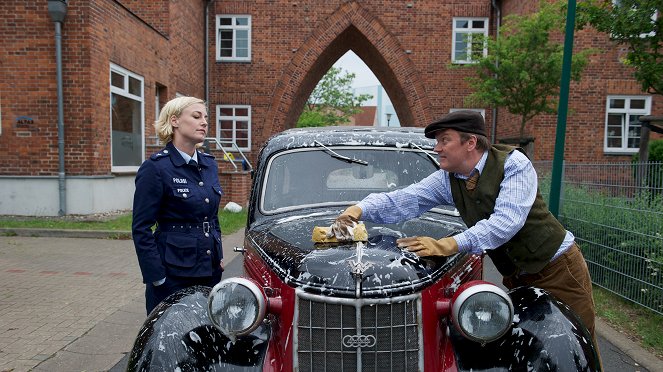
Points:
(622, 125)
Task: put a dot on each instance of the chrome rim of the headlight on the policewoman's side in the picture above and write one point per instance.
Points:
(258, 295)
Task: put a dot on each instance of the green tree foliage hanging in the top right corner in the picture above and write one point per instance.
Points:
(637, 24)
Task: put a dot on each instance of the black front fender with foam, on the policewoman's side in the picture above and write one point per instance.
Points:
(178, 335)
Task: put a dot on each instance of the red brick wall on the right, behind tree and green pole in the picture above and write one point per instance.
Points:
(605, 75)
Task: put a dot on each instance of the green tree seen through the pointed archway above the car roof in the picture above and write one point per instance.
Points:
(332, 102)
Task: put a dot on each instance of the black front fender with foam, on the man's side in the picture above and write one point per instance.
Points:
(546, 336)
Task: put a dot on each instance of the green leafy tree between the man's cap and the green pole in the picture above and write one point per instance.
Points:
(523, 68)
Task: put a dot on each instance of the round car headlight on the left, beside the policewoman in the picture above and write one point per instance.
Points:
(236, 306)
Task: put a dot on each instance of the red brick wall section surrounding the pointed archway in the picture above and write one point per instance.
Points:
(294, 44)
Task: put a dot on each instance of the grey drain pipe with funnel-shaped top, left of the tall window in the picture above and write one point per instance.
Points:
(57, 9)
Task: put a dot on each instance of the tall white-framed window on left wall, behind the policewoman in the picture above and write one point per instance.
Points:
(127, 118)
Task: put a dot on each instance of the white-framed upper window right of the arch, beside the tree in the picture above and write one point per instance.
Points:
(467, 47)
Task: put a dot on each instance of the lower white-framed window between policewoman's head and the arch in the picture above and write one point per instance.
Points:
(234, 125)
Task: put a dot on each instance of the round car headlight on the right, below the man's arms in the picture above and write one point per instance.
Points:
(482, 312)
